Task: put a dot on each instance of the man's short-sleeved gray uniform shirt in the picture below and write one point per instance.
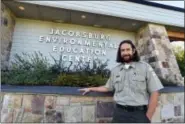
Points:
(133, 86)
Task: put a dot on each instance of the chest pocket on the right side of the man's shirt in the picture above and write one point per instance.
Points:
(138, 82)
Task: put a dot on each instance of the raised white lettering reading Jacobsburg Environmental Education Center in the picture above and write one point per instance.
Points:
(78, 46)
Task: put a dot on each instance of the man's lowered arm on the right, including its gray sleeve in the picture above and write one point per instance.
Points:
(153, 86)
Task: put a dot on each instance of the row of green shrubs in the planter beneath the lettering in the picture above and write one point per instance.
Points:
(34, 69)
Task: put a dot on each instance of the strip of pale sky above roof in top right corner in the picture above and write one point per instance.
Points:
(171, 3)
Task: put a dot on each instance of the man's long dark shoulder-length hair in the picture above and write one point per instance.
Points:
(135, 57)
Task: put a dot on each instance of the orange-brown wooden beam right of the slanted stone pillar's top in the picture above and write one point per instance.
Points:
(176, 35)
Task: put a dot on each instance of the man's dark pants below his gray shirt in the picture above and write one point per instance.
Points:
(124, 116)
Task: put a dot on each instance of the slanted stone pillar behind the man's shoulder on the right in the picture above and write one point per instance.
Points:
(154, 47)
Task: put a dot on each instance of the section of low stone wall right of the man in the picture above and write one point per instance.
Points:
(170, 108)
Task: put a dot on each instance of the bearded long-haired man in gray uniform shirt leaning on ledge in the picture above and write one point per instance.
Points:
(135, 87)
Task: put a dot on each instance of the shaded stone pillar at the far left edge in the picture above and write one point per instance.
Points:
(7, 29)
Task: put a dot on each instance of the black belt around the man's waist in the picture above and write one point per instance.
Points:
(132, 108)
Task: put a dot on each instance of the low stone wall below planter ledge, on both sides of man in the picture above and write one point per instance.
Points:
(17, 107)
